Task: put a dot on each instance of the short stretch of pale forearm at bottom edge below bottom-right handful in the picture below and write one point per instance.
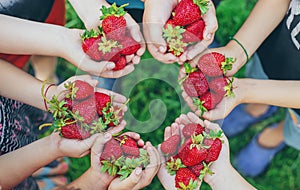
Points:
(229, 179)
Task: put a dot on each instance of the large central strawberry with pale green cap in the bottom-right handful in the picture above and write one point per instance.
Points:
(193, 153)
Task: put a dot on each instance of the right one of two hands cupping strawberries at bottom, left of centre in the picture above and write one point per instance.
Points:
(139, 178)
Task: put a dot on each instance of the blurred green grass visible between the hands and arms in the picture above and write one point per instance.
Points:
(283, 172)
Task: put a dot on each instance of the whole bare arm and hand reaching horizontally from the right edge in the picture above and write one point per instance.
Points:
(270, 92)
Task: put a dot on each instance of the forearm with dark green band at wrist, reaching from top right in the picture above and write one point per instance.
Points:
(263, 19)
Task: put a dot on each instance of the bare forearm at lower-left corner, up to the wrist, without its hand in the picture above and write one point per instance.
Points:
(21, 163)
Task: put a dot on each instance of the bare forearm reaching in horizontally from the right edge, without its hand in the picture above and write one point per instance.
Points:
(271, 92)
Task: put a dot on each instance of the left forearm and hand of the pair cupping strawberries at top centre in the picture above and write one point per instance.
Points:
(155, 16)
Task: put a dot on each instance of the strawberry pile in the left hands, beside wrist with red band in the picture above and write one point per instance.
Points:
(82, 112)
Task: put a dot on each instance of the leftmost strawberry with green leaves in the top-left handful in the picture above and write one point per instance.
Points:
(90, 40)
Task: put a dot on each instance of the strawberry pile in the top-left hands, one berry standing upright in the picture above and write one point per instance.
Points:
(111, 42)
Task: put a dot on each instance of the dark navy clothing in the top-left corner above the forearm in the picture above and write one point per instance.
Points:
(35, 10)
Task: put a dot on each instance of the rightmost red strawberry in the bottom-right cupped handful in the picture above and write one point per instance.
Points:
(214, 150)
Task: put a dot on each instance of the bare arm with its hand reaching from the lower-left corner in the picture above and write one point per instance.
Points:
(21, 163)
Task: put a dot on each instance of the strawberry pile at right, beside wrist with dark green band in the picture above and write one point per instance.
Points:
(207, 83)
